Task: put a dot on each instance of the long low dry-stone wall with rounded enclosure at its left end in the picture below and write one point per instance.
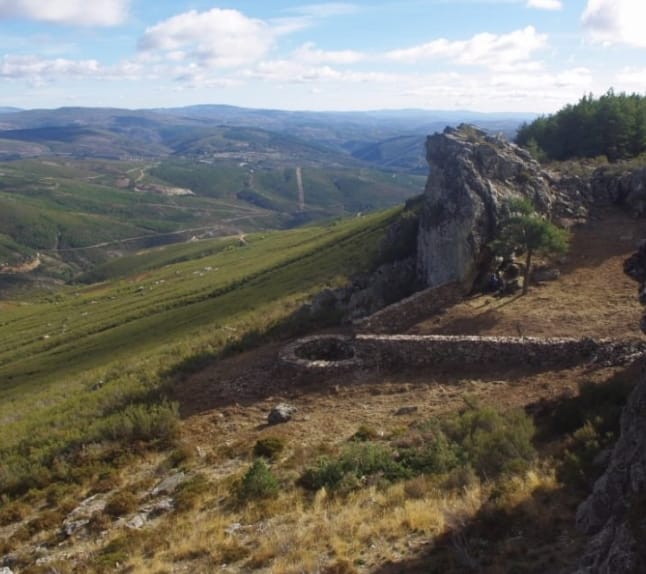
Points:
(397, 351)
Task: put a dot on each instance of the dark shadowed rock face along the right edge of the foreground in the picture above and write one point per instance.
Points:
(615, 513)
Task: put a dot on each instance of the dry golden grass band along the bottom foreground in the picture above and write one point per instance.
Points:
(295, 534)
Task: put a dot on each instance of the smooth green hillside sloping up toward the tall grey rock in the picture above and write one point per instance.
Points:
(69, 358)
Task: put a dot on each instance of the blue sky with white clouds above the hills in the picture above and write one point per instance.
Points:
(483, 55)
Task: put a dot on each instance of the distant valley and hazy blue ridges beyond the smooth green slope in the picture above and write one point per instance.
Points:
(80, 186)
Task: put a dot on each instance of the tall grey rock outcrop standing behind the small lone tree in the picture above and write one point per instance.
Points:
(472, 175)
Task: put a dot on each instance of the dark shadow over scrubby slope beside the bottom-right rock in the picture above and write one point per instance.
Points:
(533, 531)
